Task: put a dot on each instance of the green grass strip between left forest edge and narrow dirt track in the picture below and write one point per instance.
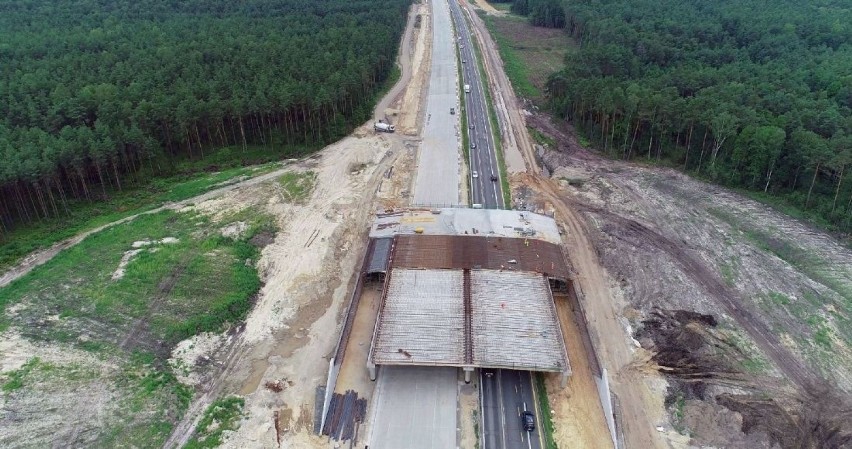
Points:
(86, 215)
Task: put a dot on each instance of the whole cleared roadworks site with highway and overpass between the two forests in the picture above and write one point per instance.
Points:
(626, 306)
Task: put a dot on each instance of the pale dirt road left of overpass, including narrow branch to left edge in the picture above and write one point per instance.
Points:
(306, 271)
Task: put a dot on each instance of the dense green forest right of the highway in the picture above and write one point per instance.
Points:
(752, 94)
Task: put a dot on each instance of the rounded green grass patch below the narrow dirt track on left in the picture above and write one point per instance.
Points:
(198, 284)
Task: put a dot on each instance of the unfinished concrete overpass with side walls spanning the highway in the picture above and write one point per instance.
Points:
(451, 293)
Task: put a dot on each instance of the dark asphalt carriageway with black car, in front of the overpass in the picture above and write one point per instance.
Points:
(505, 393)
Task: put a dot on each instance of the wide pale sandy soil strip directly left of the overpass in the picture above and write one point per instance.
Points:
(307, 271)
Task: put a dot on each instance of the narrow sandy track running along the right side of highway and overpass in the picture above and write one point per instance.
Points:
(641, 408)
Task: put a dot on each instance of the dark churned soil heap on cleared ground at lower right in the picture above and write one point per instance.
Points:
(701, 365)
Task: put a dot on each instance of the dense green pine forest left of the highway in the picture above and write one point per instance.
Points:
(96, 94)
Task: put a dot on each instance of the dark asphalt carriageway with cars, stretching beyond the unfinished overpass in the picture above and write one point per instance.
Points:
(484, 171)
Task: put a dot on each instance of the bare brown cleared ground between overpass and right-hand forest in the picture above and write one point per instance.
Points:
(778, 288)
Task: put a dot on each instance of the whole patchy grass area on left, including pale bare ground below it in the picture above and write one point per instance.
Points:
(182, 277)
